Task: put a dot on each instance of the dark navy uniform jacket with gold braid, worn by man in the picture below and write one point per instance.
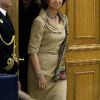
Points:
(6, 31)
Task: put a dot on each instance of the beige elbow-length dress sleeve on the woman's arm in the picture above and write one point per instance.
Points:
(36, 36)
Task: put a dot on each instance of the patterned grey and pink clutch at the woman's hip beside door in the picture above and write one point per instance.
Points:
(60, 74)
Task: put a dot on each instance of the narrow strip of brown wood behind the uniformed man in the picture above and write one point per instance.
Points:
(13, 12)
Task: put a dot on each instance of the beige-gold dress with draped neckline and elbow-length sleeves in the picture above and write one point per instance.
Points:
(45, 40)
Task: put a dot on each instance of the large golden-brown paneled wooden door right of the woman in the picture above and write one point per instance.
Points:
(83, 56)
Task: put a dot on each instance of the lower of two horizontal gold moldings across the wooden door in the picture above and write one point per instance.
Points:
(83, 62)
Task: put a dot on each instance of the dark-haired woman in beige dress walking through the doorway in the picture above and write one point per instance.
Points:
(47, 35)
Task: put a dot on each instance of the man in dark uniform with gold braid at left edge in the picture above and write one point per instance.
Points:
(8, 61)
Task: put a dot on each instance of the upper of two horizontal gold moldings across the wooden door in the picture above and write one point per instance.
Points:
(84, 47)
